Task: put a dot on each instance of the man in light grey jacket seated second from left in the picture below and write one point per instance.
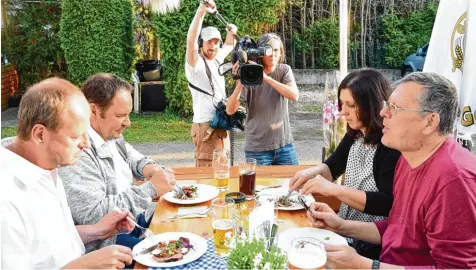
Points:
(103, 176)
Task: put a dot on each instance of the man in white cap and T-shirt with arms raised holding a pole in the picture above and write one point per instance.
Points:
(201, 69)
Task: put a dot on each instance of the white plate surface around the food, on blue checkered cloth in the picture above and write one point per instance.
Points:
(199, 245)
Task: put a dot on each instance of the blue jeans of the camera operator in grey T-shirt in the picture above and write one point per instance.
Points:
(285, 155)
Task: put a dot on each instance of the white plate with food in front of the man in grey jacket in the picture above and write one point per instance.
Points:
(193, 193)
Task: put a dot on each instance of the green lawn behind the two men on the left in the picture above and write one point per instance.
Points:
(153, 128)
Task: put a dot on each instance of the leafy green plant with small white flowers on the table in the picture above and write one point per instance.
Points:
(244, 256)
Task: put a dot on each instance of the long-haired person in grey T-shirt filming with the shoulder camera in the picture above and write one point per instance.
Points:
(268, 132)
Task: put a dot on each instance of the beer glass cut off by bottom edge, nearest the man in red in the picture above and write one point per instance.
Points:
(307, 253)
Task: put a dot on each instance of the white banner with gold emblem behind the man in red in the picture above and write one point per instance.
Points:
(452, 33)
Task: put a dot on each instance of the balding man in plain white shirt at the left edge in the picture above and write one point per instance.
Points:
(36, 225)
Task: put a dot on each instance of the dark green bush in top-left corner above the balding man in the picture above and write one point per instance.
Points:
(30, 40)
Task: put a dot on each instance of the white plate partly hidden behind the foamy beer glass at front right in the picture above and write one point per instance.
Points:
(285, 238)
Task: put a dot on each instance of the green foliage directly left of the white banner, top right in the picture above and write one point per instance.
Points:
(404, 34)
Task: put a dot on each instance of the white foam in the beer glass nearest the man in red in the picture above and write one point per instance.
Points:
(307, 258)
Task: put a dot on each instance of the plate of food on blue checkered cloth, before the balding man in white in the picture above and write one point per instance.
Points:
(171, 249)
